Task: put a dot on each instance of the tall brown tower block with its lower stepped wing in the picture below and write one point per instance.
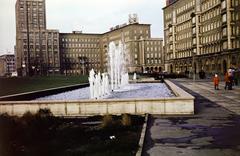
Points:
(37, 49)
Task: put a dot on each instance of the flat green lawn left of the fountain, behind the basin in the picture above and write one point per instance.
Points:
(9, 86)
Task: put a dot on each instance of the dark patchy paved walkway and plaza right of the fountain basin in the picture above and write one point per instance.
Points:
(214, 130)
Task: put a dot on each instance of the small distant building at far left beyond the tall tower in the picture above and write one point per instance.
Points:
(7, 64)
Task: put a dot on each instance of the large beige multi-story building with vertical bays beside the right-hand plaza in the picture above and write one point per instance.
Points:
(202, 35)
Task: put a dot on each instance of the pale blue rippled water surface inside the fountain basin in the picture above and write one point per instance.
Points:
(131, 91)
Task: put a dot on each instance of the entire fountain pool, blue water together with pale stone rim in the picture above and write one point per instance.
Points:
(139, 98)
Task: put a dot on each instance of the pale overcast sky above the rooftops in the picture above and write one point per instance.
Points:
(90, 16)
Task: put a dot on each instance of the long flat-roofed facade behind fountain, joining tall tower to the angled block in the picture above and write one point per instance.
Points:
(80, 52)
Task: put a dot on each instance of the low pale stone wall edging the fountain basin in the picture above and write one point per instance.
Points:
(183, 103)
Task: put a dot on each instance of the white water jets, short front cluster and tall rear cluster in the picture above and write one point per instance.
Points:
(99, 85)
